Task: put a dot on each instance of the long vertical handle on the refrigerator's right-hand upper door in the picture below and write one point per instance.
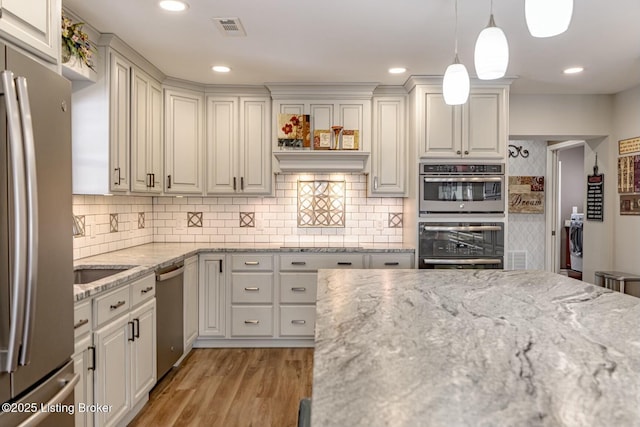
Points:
(32, 219)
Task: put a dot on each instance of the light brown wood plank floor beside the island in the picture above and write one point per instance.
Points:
(257, 387)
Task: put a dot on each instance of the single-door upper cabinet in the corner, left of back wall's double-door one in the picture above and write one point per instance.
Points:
(183, 141)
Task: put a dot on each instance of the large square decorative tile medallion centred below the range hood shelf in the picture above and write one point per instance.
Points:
(321, 203)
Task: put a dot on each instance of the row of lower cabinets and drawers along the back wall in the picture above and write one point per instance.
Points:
(269, 298)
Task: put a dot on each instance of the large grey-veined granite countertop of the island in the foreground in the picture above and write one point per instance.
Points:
(473, 348)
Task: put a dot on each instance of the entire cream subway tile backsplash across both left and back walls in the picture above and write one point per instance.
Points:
(235, 219)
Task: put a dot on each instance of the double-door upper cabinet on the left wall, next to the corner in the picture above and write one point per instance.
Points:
(146, 133)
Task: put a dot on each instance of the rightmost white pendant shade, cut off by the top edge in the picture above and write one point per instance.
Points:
(548, 18)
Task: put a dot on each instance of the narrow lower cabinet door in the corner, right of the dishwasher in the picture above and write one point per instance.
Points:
(212, 298)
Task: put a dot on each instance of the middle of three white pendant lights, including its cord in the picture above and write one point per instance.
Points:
(491, 54)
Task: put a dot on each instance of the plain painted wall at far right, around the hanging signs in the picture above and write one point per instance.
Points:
(626, 124)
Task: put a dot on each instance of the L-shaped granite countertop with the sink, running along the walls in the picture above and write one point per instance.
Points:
(144, 259)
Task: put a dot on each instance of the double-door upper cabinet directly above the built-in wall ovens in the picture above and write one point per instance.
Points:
(475, 130)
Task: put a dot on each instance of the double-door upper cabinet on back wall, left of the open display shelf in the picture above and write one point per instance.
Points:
(238, 145)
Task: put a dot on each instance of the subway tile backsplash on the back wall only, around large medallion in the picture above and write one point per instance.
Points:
(275, 220)
